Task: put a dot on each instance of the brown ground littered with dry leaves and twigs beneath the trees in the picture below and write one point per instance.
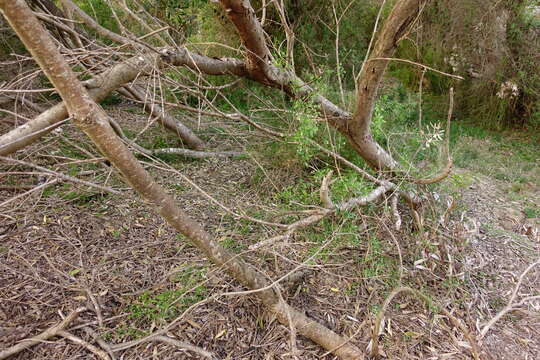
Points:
(69, 245)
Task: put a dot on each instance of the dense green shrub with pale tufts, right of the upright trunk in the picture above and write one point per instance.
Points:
(498, 59)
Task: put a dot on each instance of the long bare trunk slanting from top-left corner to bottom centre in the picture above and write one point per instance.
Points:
(95, 123)
